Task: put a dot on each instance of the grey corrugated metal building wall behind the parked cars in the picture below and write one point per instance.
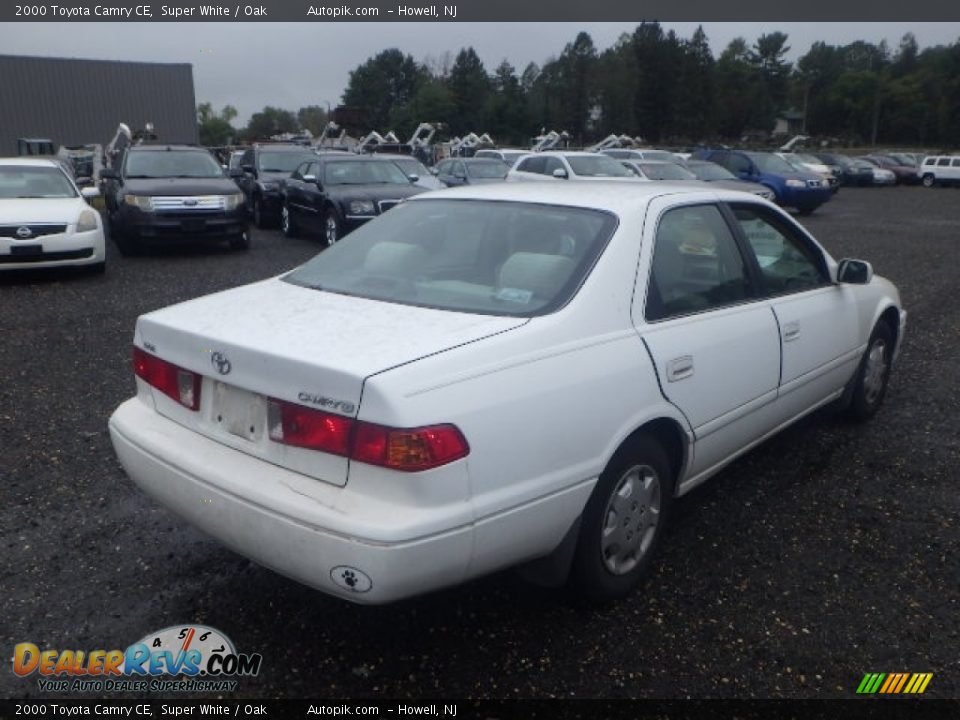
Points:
(74, 102)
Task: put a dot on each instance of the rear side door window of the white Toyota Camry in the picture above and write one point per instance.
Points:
(696, 264)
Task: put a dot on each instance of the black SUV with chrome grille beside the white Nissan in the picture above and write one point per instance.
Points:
(172, 193)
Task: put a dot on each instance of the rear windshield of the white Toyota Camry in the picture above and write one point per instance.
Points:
(487, 257)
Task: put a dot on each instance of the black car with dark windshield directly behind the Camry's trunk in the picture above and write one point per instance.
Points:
(335, 193)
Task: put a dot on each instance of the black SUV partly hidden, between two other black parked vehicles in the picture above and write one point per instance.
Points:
(264, 166)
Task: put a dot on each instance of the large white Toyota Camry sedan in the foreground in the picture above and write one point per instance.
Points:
(495, 376)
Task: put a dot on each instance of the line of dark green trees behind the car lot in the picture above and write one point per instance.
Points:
(656, 85)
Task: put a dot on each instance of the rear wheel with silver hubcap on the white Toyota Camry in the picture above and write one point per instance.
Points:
(623, 522)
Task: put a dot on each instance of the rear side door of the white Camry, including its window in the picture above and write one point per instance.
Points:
(713, 340)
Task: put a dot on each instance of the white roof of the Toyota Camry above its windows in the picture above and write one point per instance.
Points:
(617, 197)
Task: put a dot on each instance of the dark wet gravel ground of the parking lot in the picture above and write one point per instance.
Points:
(829, 552)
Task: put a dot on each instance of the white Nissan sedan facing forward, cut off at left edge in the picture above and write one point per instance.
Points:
(45, 221)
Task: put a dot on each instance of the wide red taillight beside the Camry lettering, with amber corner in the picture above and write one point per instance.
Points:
(409, 450)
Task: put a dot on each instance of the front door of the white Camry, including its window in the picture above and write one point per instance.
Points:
(817, 319)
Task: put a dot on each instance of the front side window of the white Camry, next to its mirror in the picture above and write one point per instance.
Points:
(787, 263)
